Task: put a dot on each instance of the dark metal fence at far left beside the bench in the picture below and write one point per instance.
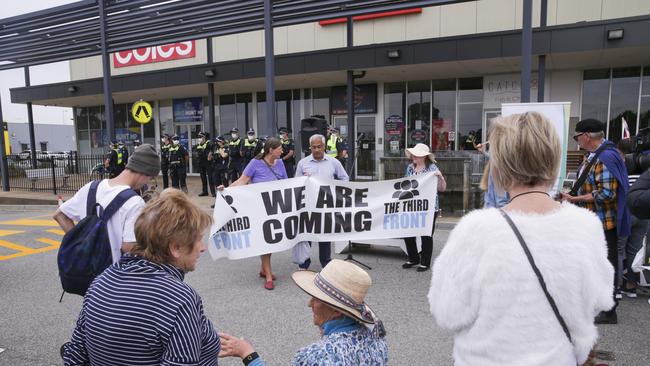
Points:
(56, 173)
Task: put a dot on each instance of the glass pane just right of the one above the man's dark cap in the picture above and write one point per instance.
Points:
(625, 94)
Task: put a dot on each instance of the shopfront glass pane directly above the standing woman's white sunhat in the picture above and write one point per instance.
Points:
(419, 109)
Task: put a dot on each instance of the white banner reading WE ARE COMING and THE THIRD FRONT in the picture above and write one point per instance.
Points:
(272, 217)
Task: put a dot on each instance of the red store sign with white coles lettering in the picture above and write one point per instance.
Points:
(148, 55)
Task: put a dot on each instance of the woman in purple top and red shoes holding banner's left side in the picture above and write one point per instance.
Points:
(265, 167)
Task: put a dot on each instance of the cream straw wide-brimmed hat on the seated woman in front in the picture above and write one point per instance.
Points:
(343, 286)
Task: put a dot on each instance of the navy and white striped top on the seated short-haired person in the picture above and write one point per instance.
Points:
(142, 313)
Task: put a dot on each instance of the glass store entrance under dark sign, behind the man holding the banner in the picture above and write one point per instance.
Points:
(366, 147)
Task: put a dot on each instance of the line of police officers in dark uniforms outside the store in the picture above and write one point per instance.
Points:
(220, 161)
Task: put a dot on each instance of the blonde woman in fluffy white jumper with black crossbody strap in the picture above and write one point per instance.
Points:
(484, 287)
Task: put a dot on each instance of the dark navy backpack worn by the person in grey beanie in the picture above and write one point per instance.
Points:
(85, 250)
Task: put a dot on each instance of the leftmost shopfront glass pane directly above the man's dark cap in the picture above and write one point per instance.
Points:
(595, 94)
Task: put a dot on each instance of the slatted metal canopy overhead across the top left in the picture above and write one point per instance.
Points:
(73, 31)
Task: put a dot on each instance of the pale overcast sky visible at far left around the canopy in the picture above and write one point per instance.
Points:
(43, 74)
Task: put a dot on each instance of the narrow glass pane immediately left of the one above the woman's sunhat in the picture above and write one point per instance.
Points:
(394, 110)
